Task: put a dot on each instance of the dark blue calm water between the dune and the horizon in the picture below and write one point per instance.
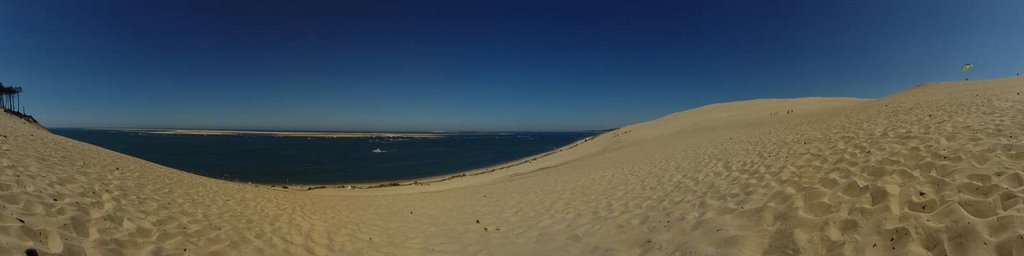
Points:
(315, 161)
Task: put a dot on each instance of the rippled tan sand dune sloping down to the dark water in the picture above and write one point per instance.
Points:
(936, 169)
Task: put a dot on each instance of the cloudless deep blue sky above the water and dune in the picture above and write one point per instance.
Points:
(421, 66)
